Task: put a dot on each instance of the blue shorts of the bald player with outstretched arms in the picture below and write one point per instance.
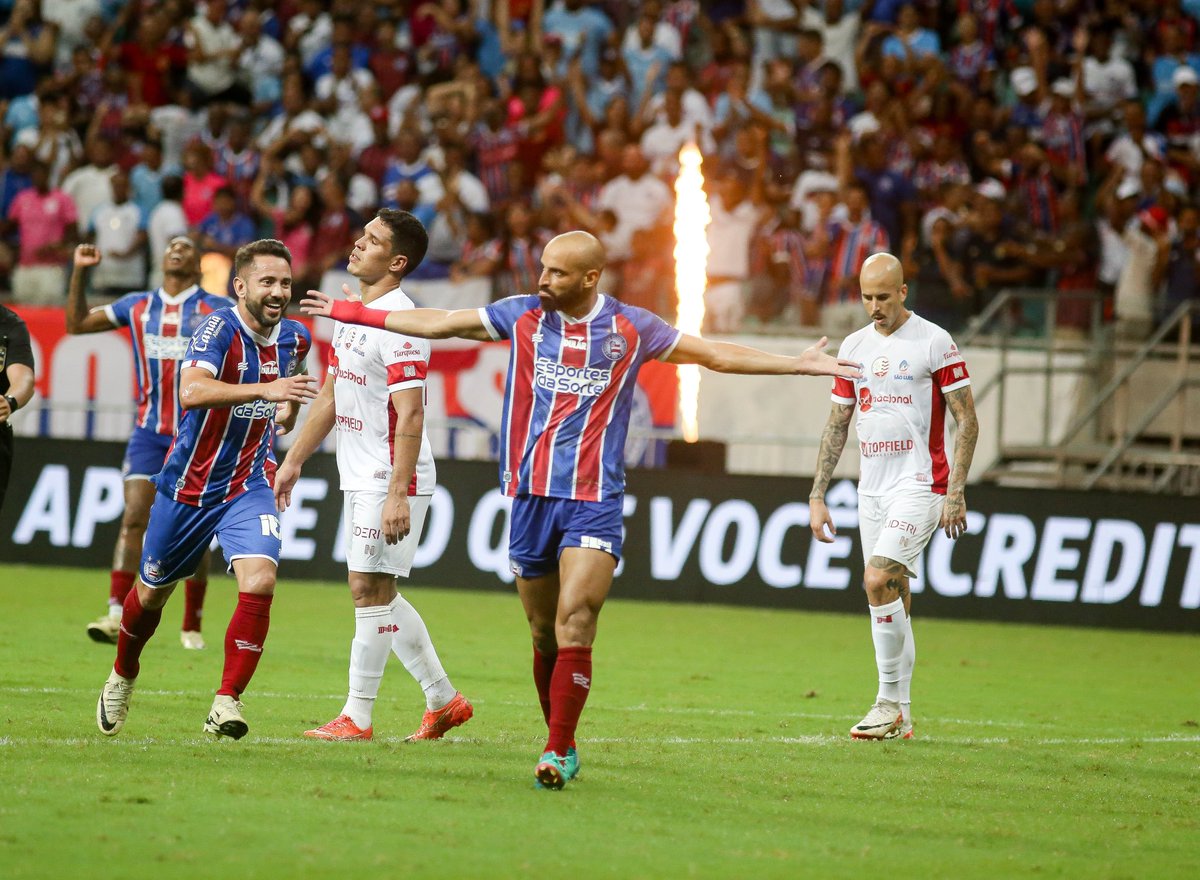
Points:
(541, 529)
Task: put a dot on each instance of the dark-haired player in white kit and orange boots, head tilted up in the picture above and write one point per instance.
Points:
(375, 397)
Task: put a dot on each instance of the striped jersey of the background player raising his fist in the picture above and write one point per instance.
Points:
(160, 327)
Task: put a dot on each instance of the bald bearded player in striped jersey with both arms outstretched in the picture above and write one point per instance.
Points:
(572, 375)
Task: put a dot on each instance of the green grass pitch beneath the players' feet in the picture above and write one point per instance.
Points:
(715, 746)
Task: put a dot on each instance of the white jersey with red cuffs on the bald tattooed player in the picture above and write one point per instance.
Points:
(902, 405)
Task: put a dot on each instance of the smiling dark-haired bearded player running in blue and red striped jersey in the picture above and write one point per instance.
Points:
(241, 364)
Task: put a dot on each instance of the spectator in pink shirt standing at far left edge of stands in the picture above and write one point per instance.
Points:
(46, 222)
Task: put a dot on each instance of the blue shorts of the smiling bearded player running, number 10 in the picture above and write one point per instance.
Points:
(178, 535)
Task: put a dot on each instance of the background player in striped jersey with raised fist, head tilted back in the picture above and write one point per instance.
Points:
(160, 325)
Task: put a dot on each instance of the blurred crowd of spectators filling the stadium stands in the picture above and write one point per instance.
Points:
(988, 143)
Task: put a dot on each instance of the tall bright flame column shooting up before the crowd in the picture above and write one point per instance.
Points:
(692, 222)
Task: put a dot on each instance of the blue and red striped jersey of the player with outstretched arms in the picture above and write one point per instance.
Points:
(569, 393)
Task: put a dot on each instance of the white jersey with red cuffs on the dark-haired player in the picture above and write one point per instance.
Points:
(367, 366)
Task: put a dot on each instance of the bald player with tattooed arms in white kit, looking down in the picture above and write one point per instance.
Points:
(913, 373)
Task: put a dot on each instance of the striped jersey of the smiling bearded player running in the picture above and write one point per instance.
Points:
(223, 453)
